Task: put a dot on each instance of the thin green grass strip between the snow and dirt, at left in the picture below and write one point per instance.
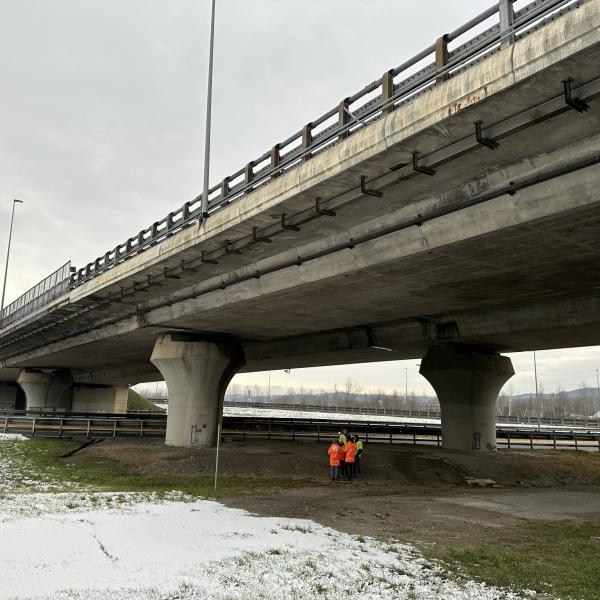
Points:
(44, 459)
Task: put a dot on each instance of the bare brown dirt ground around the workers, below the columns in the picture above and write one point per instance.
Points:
(414, 494)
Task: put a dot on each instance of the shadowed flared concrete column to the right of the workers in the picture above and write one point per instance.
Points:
(467, 384)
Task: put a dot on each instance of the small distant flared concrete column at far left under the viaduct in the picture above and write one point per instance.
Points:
(52, 391)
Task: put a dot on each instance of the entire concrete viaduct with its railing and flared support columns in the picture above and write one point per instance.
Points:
(449, 211)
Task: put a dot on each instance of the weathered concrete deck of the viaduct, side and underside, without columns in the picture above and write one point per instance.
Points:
(514, 273)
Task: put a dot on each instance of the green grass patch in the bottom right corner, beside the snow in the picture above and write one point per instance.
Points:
(555, 559)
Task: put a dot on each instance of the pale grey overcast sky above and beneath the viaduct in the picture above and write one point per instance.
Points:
(102, 119)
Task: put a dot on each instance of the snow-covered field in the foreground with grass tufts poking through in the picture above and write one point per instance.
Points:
(85, 546)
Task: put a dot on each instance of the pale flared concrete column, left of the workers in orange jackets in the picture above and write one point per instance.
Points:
(197, 374)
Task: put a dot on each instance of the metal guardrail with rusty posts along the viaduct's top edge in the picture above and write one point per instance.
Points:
(396, 87)
